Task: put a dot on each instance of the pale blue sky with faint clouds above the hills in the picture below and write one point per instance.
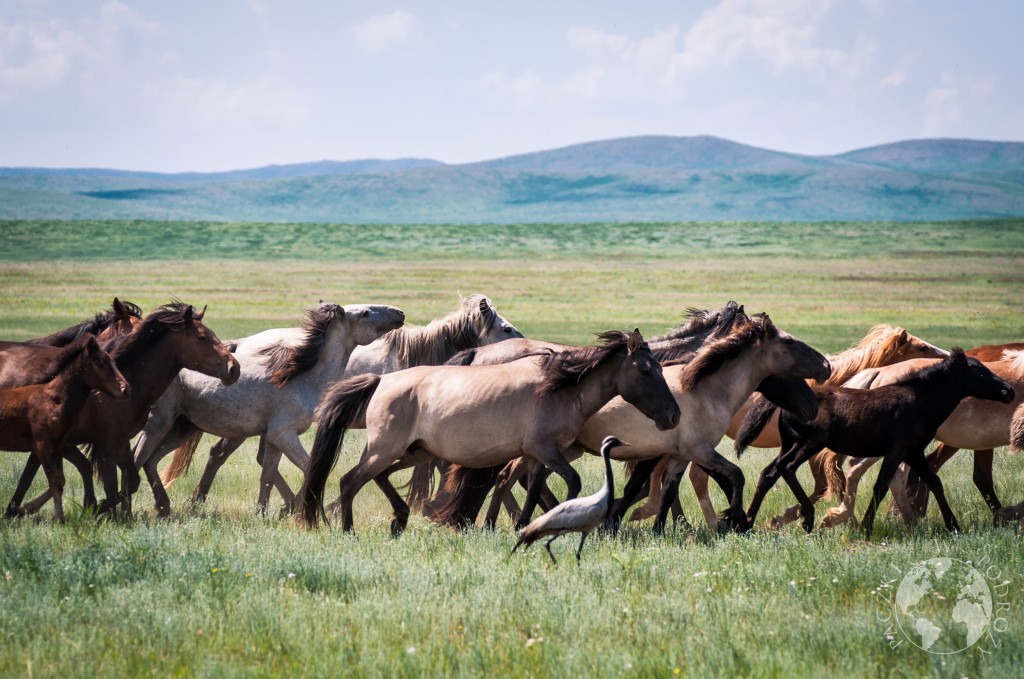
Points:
(175, 87)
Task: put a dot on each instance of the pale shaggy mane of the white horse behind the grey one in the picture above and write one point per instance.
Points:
(441, 339)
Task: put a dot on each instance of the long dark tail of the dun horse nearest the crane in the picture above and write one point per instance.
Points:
(345, 404)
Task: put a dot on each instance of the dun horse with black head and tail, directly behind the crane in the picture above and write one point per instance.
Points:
(481, 416)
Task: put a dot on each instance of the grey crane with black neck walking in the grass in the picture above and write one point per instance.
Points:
(579, 516)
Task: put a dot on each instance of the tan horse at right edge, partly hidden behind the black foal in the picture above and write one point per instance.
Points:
(975, 425)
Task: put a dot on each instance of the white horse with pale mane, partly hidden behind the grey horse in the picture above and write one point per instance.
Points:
(476, 323)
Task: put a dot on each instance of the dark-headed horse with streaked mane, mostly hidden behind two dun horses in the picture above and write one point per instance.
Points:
(679, 346)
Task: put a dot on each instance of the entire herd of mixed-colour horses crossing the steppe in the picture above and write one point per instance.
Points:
(471, 399)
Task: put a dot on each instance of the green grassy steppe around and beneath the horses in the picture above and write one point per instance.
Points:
(221, 591)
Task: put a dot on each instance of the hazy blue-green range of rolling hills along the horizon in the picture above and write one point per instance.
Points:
(650, 179)
